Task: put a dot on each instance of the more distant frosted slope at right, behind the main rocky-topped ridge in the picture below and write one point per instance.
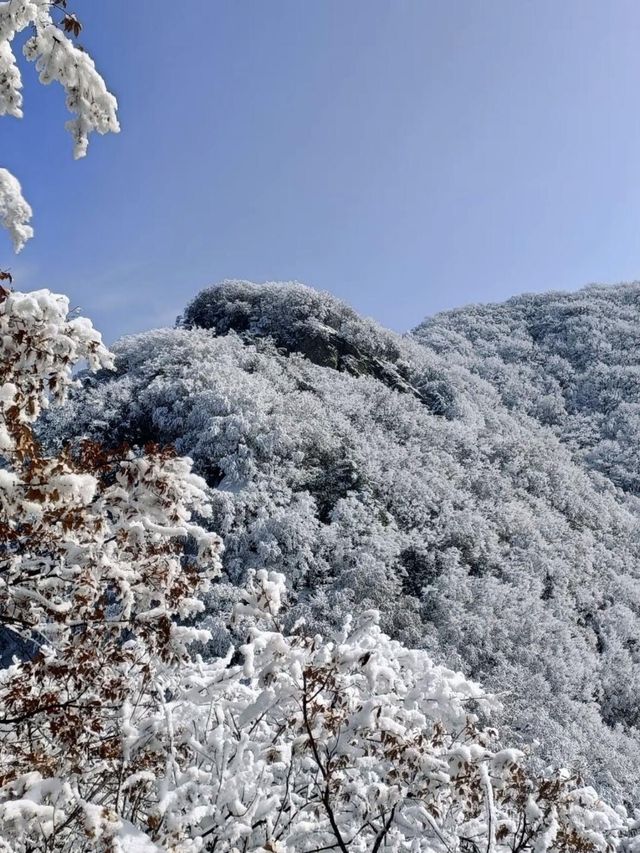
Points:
(570, 360)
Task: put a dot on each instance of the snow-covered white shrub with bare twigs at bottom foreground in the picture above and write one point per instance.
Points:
(355, 743)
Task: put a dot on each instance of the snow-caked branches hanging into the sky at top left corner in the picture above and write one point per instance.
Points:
(57, 59)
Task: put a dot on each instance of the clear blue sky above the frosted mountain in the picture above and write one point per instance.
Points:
(407, 155)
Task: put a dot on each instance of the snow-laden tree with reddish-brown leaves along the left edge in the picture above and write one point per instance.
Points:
(100, 562)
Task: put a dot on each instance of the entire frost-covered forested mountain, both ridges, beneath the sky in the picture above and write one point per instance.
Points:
(477, 481)
